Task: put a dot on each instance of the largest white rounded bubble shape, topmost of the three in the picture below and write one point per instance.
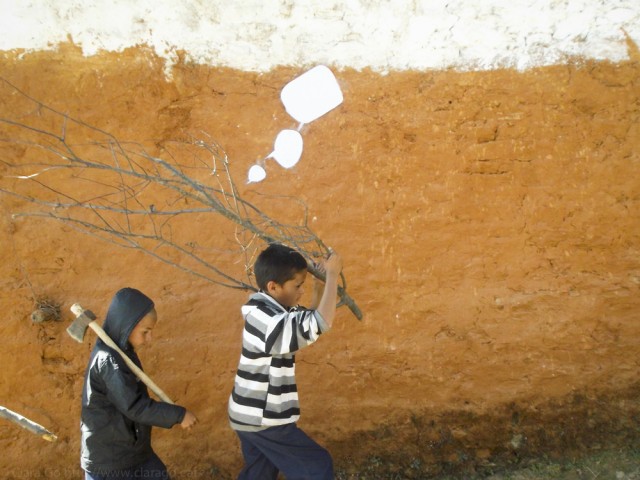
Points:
(312, 94)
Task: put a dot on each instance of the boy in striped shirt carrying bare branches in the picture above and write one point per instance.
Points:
(263, 407)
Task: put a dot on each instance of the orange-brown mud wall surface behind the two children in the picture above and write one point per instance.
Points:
(490, 229)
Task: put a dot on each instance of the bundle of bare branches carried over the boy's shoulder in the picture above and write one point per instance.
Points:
(143, 199)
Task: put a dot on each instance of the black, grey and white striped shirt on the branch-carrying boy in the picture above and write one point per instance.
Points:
(265, 392)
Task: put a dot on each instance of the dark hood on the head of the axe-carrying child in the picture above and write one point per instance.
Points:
(127, 308)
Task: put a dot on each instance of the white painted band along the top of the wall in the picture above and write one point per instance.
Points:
(258, 35)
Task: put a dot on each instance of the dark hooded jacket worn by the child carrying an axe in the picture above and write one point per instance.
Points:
(117, 412)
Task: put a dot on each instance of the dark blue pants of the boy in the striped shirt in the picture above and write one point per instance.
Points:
(285, 449)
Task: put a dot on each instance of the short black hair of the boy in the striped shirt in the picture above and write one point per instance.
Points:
(277, 263)
